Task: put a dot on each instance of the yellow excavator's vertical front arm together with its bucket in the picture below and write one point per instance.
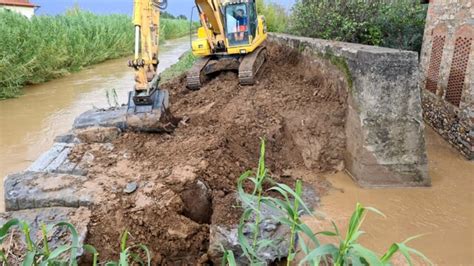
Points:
(148, 104)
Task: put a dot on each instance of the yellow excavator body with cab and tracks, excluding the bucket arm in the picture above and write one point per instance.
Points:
(230, 38)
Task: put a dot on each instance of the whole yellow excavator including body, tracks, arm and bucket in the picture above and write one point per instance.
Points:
(231, 37)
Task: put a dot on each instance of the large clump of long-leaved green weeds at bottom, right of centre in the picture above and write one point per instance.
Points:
(290, 207)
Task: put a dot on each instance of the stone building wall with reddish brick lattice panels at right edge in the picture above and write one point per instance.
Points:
(448, 72)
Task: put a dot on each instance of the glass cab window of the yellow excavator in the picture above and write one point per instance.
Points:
(237, 24)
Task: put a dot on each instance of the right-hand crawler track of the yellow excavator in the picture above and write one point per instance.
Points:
(250, 66)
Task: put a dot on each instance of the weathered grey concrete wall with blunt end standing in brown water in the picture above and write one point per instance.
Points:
(384, 128)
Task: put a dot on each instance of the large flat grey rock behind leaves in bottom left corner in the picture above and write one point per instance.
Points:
(15, 242)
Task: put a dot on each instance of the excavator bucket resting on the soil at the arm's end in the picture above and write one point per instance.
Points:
(150, 113)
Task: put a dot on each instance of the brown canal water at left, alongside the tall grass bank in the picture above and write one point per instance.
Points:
(28, 124)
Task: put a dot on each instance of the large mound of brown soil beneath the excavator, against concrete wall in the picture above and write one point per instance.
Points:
(298, 106)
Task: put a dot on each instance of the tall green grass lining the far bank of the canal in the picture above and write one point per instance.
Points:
(47, 47)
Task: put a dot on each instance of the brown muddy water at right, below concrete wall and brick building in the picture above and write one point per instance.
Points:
(445, 212)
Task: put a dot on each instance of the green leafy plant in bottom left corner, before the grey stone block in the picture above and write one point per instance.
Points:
(36, 255)
